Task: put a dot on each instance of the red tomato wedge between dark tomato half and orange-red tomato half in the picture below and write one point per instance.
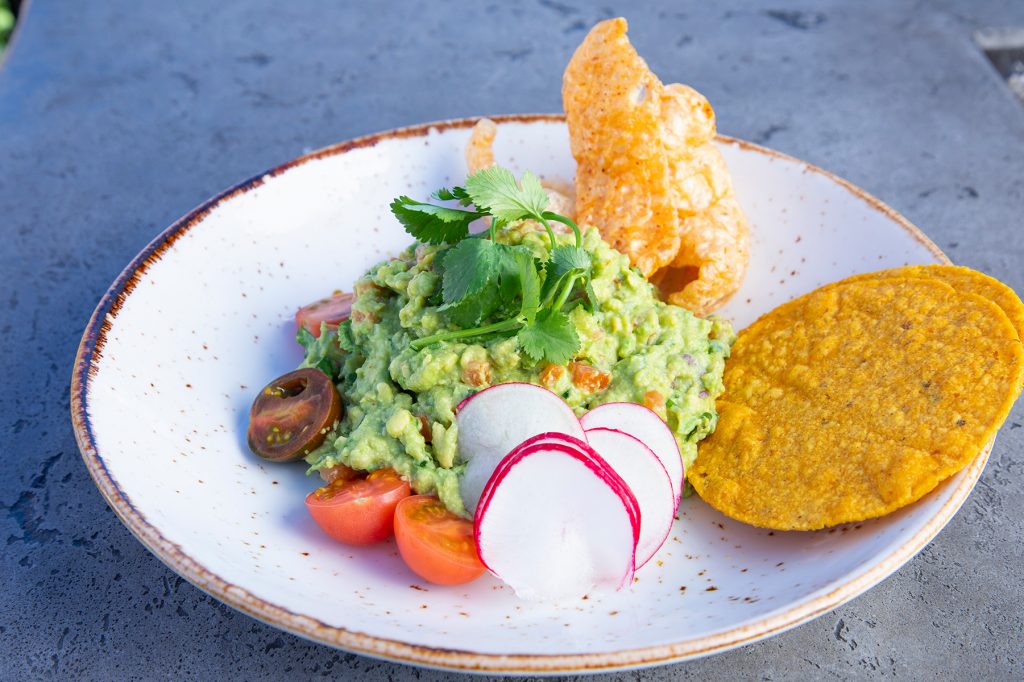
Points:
(359, 511)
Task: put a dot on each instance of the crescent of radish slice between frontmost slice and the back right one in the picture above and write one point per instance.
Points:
(649, 481)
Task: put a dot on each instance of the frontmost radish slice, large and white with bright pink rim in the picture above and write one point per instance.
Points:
(557, 522)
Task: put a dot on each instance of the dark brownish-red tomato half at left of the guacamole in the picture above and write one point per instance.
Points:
(292, 415)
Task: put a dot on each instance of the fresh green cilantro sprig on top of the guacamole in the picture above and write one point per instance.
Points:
(484, 280)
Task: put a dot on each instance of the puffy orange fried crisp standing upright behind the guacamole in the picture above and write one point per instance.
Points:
(650, 176)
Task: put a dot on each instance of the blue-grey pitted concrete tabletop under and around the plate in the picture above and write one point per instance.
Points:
(118, 117)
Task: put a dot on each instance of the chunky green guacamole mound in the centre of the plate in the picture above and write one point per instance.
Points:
(400, 403)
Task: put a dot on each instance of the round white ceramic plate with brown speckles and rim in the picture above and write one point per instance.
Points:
(202, 319)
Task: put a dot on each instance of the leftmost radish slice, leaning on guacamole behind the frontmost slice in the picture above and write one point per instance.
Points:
(496, 420)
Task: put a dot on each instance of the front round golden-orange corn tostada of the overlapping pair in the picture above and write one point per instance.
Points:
(857, 400)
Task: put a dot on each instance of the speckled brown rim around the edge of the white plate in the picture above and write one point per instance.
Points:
(87, 366)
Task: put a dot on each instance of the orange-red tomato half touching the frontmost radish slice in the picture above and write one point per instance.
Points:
(438, 545)
